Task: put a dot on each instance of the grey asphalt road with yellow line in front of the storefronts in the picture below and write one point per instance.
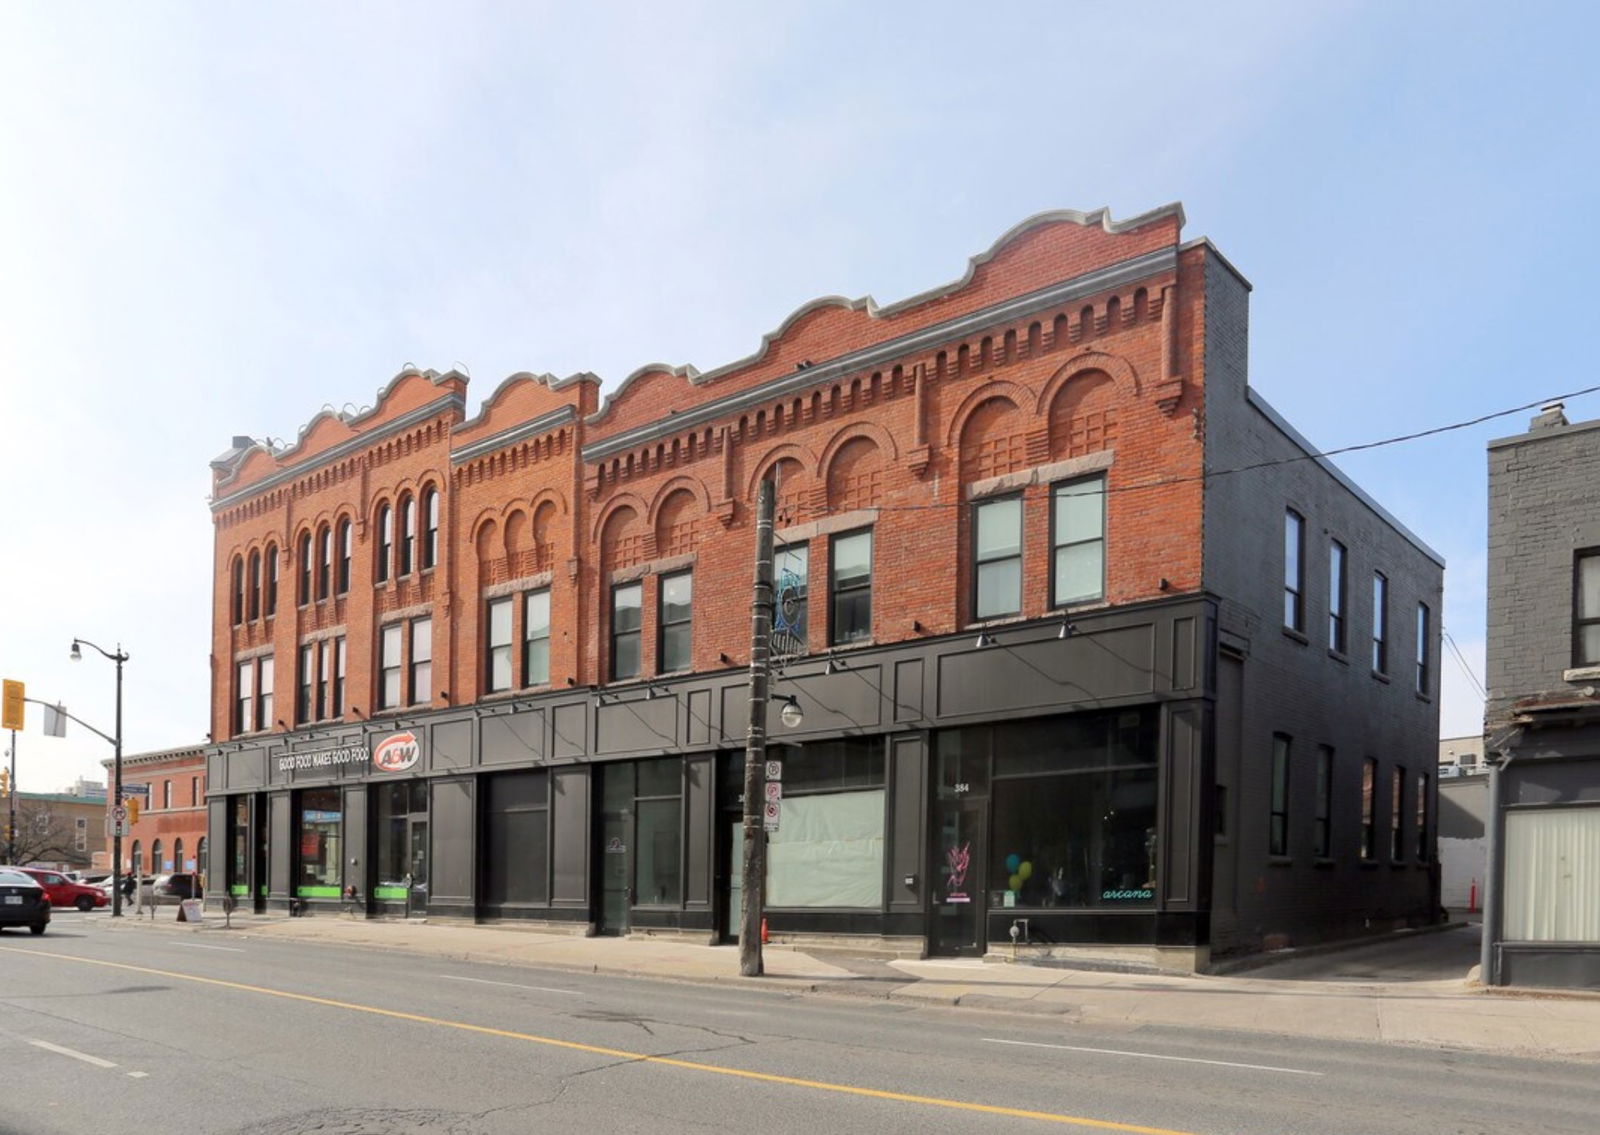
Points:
(108, 1032)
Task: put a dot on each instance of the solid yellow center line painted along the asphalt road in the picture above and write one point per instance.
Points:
(620, 1054)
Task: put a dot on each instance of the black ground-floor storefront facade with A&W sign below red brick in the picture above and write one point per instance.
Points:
(1050, 777)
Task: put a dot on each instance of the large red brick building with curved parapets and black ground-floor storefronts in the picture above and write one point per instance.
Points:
(492, 665)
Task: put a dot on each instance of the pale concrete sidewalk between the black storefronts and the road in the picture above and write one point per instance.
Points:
(1446, 1013)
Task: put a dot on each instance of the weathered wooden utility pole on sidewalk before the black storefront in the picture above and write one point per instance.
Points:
(754, 881)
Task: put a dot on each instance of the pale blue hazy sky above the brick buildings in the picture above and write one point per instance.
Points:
(218, 220)
